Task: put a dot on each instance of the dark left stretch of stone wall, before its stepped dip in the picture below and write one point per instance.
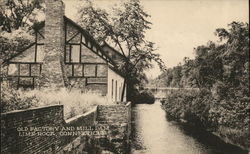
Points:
(11, 122)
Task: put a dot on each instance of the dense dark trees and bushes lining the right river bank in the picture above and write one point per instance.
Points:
(221, 71)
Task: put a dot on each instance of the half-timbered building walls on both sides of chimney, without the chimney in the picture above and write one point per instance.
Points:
(85, 64)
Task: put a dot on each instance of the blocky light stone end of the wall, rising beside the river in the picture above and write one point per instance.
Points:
(118, 118)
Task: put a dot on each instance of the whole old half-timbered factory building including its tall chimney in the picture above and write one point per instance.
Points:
(65, 55)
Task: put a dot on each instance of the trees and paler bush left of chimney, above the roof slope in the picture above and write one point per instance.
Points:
(16, 19)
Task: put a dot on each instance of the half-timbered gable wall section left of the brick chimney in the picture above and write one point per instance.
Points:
(24, 69)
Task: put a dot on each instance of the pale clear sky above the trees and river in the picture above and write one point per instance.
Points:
(178, 26)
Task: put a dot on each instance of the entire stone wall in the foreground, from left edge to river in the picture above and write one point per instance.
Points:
(116, 117)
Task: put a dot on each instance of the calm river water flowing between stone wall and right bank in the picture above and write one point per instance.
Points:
(154, 134)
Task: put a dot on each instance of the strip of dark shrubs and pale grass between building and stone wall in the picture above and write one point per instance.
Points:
(74, 101)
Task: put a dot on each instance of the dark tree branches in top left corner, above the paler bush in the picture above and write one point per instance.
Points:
(19, 13)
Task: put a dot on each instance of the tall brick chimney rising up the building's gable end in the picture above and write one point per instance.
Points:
(52, 75)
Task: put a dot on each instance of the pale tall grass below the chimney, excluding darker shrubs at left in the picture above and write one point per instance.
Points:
(75, 102)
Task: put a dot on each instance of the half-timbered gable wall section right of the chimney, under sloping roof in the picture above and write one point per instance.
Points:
(86, 66)
